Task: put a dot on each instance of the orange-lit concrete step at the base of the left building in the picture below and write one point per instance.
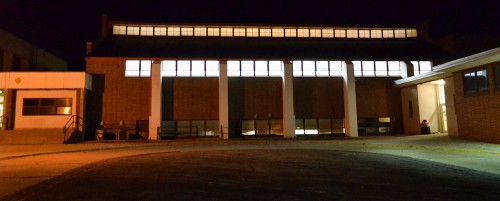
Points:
(32, 136)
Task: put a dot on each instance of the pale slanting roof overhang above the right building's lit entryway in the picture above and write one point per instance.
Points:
(447, 69)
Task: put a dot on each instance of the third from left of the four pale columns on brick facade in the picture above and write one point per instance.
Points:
(288, 110)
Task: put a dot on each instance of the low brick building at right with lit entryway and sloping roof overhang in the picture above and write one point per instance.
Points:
(461, 97)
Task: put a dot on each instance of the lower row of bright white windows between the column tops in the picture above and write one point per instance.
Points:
(264, 68)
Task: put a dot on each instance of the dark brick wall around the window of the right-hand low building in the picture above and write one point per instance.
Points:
(478, 116)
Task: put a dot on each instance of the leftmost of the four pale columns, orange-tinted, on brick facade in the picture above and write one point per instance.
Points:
(155, 118)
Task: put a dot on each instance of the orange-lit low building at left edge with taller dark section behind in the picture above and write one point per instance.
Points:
(24, 72)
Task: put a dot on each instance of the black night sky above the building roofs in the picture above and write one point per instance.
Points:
(63, 26)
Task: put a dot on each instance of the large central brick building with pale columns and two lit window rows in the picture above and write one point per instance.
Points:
(253, 80)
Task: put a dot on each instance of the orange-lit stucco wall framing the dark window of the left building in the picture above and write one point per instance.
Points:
(44, 121)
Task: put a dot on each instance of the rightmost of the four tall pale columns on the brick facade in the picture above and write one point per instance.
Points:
(350, 109)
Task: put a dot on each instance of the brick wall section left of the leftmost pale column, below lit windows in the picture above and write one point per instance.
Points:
(124, 98)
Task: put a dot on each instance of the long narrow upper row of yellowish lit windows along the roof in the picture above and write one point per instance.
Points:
(276, 32)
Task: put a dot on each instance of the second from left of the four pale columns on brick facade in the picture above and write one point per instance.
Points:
(223, 100)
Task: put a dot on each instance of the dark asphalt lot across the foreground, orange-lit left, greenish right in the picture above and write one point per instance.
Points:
(381, 168)
